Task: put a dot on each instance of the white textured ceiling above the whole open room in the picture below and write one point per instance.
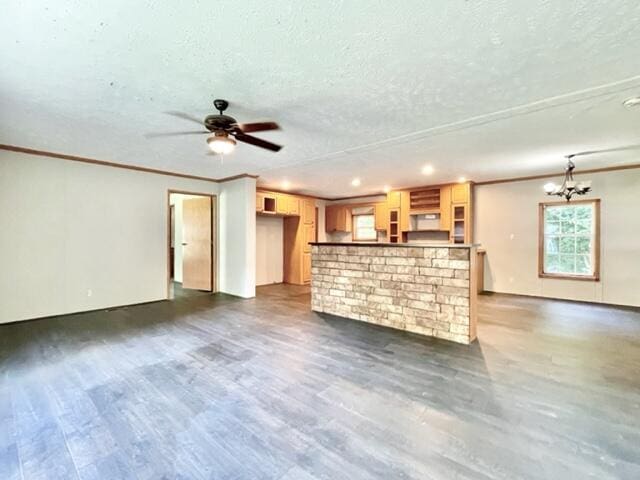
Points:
(369, 89)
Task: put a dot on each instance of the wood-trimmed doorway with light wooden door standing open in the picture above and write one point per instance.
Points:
(191, 244)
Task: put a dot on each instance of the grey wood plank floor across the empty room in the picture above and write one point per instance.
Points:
(215, 387)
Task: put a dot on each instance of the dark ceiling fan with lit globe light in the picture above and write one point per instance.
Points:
(225, 130)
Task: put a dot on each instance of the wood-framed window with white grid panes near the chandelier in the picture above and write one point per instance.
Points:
(570, 240)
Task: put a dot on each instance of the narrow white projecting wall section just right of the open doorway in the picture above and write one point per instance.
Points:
(237, 239)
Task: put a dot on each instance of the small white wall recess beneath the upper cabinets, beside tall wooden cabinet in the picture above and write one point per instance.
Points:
(269, 250)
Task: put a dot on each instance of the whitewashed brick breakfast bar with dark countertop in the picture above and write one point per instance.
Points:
(428, 289)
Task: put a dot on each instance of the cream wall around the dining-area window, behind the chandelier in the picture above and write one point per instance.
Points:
(506, 224)
